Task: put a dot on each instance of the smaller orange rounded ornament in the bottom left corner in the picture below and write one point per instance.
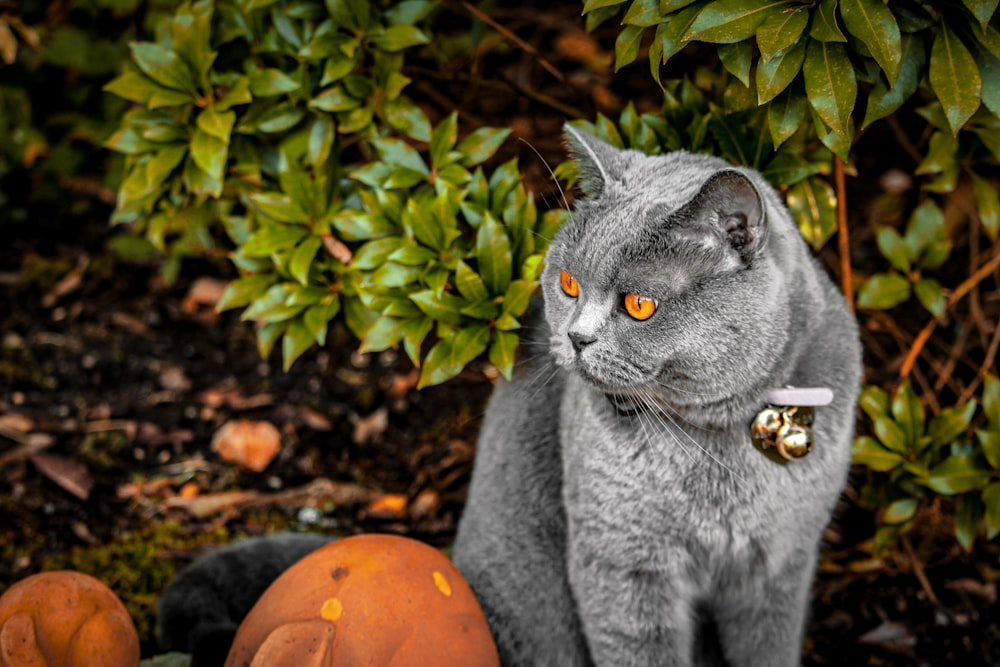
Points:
(65, 619)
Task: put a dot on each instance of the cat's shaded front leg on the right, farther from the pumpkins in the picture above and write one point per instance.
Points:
(764, 627)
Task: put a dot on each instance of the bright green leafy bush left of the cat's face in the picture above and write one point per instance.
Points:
(288, 122)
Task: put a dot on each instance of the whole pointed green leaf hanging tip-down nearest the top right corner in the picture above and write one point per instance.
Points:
(954, 77)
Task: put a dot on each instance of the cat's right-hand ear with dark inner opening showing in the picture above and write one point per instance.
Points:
(732, 206)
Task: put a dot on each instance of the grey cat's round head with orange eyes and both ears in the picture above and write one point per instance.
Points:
(666, 278)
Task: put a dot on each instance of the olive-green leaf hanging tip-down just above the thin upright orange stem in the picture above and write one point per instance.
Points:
(830, 84)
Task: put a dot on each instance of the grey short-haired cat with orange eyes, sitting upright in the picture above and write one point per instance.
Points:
(618, 513)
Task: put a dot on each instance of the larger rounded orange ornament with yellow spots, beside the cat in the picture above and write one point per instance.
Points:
(376, 600)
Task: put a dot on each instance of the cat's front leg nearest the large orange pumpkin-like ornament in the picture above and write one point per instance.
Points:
(633, 617)
